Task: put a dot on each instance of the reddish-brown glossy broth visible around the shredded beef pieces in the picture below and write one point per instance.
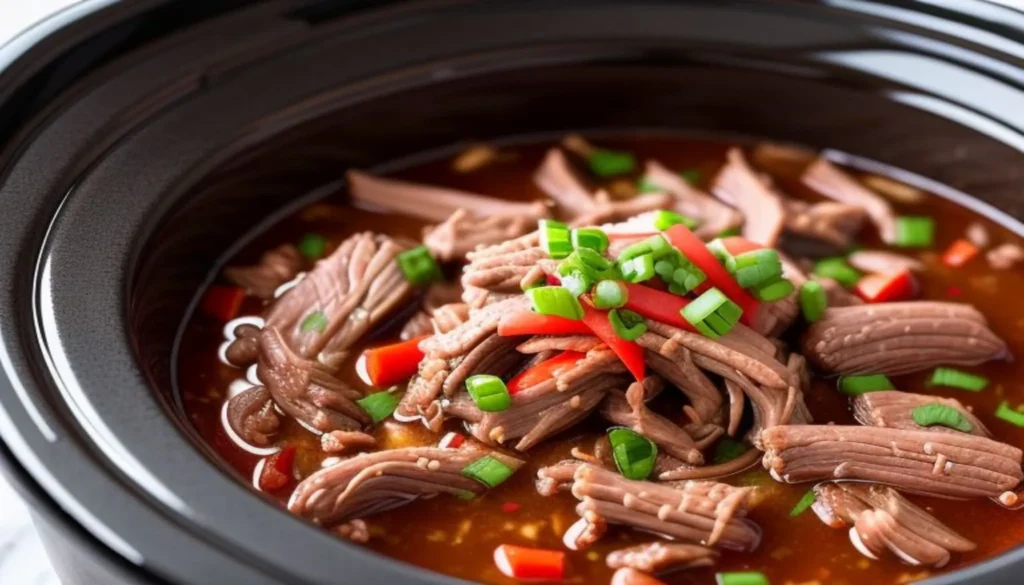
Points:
(458, 538)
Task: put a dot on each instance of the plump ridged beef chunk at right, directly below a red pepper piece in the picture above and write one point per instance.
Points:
(901, 338)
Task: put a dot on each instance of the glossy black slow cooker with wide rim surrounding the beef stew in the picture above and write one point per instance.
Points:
(140, 164)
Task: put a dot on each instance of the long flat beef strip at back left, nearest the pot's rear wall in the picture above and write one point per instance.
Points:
(434, 203)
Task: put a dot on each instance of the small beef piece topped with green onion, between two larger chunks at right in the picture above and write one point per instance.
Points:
(894, 409)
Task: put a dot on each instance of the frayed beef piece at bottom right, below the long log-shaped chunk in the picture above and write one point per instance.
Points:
(881, 520)
